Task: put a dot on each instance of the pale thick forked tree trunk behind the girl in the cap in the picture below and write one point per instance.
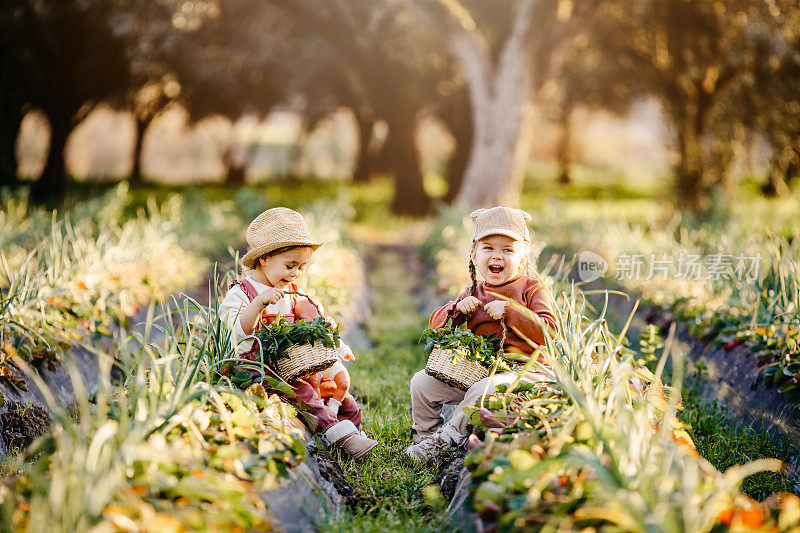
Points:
(501, 74)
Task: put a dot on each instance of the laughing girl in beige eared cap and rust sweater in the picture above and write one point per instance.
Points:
(501, 247)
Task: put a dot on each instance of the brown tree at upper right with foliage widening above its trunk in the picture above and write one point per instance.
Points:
(692, 56)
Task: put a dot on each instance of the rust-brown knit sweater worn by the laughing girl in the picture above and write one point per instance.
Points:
(525, 290)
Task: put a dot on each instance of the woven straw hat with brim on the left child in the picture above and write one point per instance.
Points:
(276, 228)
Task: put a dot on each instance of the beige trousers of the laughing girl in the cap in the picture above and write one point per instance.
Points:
(428, 396)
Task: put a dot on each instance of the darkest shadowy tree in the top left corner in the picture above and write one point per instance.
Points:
(51, 61)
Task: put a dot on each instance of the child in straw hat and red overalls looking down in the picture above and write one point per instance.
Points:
(280, 249)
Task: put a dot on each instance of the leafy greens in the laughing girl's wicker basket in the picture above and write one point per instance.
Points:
(464, 344)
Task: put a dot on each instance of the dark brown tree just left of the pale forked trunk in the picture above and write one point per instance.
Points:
(366, 38)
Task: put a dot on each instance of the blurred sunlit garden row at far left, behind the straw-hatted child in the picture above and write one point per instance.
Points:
(70, 276)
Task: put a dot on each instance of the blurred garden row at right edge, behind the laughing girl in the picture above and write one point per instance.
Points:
(733, 285)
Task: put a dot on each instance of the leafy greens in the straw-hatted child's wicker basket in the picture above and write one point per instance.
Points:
(281, 334)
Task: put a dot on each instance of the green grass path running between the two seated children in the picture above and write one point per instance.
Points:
(393, 488)
